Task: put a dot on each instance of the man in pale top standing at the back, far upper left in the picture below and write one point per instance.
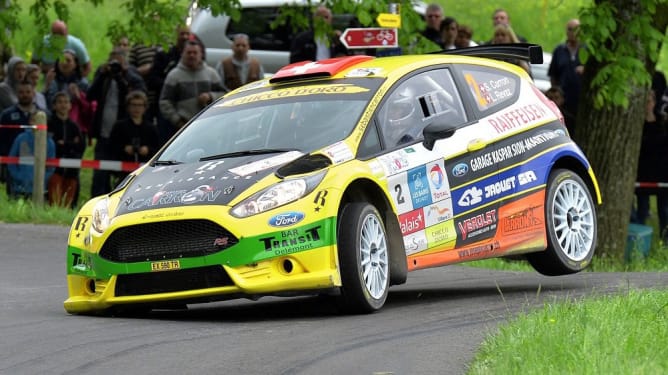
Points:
(55, 43)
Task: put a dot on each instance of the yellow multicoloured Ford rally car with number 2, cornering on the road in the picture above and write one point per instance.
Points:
(338, 178)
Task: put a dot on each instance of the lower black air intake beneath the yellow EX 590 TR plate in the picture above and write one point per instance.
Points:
(171, 281)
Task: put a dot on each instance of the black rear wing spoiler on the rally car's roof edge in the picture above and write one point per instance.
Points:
(533, 53)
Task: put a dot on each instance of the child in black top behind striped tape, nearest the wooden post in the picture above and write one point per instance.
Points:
(63, 186)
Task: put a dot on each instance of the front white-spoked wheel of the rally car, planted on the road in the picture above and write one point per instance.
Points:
(363, 259)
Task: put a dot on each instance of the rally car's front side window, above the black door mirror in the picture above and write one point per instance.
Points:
(416, 102)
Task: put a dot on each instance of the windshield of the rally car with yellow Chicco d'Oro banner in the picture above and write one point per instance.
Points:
(271, 121)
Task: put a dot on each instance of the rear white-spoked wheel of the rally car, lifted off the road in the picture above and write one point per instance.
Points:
(570, 216)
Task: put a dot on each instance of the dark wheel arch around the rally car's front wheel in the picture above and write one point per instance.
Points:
(365, 190)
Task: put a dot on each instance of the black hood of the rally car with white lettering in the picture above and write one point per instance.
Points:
(202, 183)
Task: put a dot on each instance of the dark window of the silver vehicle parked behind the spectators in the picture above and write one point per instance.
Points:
(255, 22)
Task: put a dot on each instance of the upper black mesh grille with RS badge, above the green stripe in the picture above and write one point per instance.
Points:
(166, 240)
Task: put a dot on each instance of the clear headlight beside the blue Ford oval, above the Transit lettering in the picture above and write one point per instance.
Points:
(277, 195)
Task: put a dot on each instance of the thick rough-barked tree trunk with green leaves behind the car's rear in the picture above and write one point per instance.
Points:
(623, 39)
